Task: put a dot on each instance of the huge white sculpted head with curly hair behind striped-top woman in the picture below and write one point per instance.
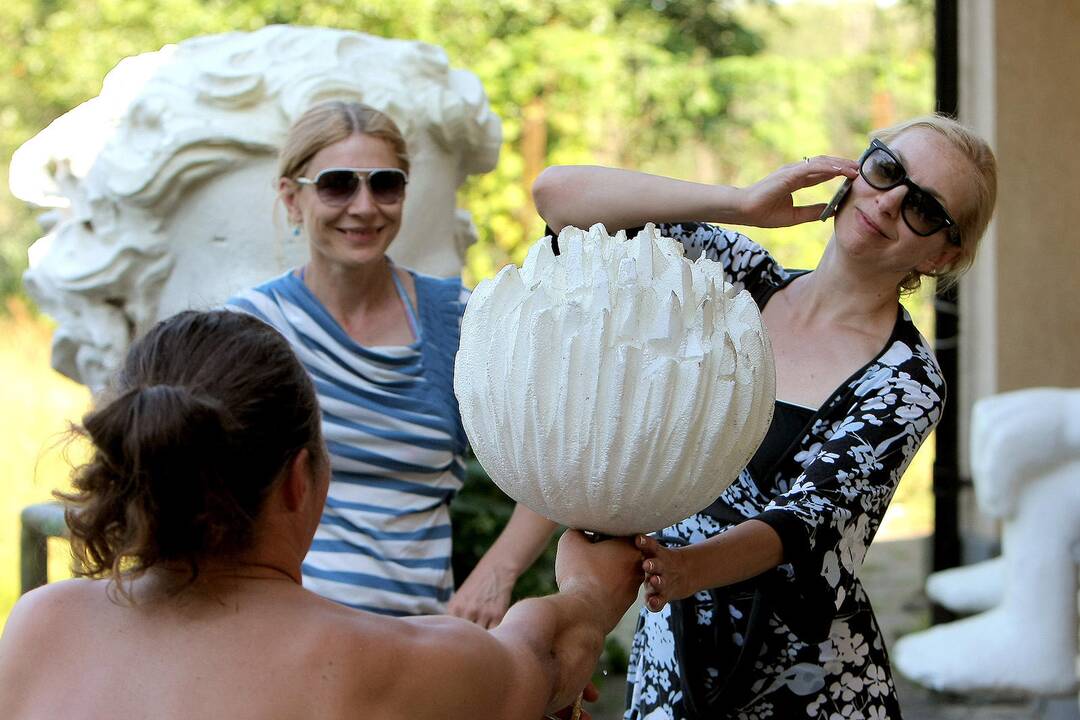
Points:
(164, 185)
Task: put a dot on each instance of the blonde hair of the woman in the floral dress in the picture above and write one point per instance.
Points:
(973, 216)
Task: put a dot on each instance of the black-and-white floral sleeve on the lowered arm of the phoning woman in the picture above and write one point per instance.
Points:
(832, 511)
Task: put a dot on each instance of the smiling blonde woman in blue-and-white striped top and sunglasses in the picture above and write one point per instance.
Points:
(380, 343)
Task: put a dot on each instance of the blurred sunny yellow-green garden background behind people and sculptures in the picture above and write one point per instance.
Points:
(720, 91)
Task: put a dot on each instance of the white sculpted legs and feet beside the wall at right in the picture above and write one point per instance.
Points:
(1025, 449)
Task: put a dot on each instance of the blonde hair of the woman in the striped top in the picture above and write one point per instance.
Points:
(333, 121)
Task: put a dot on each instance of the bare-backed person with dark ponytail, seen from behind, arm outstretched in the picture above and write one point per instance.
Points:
(200, 500)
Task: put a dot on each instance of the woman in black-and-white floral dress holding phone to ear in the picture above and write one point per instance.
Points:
(759, 594)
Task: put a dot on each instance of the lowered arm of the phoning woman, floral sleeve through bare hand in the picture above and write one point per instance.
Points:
(825, 522)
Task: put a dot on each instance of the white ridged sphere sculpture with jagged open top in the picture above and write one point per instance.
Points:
(618, 387)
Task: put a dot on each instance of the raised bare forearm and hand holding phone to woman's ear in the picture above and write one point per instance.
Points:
(584, 195)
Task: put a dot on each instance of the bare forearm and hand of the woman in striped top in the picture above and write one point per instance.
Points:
(484, 596)
